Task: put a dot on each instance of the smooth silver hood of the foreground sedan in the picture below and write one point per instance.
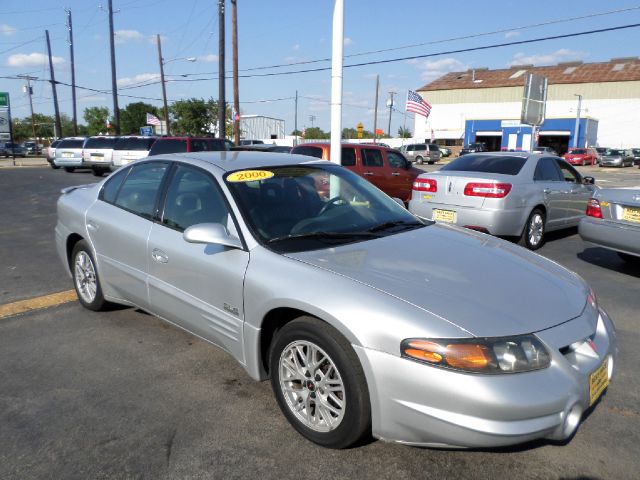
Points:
(484, 285)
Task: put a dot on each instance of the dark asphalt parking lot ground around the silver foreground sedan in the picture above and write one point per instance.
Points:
(122, 394)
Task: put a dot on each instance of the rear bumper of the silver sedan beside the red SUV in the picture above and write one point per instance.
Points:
(506, 222)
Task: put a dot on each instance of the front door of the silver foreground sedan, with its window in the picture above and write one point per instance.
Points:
(196, 286)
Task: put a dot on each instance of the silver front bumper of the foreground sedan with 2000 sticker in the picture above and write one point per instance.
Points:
(422, 405)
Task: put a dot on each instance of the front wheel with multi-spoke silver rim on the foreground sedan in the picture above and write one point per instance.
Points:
(319, 383)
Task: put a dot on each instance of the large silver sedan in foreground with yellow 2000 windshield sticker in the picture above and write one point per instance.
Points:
(366, 319)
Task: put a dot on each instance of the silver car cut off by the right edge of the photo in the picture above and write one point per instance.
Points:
(613, 221)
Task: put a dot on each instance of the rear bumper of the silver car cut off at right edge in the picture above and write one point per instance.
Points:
(615, 236)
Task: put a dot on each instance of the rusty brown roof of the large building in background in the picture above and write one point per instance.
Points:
(615, 70)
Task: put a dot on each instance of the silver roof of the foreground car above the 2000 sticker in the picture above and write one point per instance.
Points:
(242, 160)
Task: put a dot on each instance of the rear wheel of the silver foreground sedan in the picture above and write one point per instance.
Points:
(85, 277)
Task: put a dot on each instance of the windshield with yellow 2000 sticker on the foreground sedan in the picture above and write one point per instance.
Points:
(309, 207)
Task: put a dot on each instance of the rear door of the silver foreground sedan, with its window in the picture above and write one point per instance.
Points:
(118, 225)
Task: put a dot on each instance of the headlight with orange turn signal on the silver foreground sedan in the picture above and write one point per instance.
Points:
(479, 355)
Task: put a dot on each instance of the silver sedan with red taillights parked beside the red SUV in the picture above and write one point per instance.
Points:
(505, 194)
